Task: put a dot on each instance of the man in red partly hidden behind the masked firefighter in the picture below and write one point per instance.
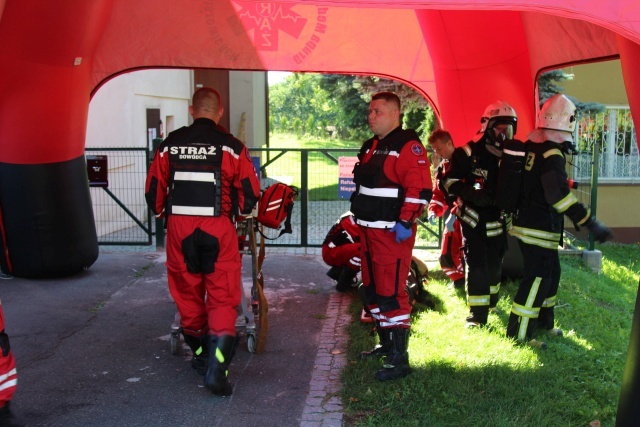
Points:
(441, 205)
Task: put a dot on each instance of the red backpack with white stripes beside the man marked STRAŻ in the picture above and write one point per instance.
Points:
(276, 205)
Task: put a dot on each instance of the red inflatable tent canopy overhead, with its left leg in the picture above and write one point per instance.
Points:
(461, 55)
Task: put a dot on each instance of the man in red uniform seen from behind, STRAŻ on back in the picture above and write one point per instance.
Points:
(200, 179)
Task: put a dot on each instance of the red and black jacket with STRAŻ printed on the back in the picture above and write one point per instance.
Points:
(202, 170)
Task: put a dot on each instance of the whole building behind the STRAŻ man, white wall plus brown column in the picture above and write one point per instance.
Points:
(118, 118)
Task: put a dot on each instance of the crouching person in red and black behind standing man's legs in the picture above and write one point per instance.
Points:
(341, 250)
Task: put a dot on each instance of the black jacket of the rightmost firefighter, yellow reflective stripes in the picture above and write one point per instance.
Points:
(546, 197)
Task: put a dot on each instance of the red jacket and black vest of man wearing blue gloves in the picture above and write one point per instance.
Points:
(393, 180)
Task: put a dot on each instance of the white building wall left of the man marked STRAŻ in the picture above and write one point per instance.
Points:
(118, 118)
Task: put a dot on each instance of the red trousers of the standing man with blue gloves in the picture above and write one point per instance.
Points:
(385, 267)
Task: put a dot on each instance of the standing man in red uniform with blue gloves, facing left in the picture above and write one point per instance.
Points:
(393, 185)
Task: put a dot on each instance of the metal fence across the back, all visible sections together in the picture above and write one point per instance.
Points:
(122, 216)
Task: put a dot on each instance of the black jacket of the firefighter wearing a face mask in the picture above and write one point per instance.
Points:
(473, 178)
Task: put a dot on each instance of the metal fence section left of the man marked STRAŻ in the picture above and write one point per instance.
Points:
(120, 211)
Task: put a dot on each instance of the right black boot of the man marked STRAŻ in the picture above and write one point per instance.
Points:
(221, 351)
